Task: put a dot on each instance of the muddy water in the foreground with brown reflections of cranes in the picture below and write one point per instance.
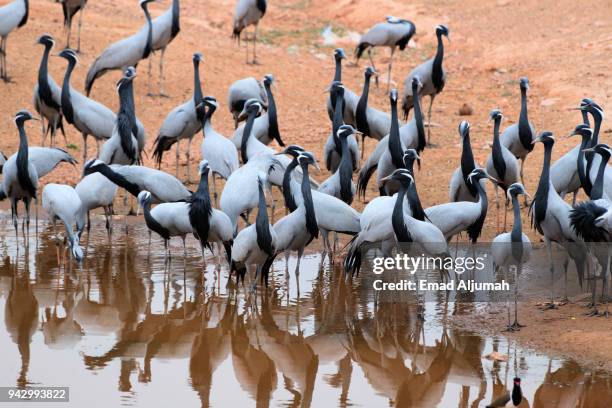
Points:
(124, 329)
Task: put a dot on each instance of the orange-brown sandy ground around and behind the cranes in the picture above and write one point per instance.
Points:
(561, 46)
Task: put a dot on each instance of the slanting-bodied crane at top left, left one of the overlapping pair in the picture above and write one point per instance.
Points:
(124, 53)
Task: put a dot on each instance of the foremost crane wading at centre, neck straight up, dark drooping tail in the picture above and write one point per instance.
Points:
(257, 242)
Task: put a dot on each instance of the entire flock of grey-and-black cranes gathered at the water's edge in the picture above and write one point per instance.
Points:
(250, 167)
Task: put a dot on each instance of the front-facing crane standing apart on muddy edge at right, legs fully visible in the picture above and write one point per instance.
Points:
(510, 250)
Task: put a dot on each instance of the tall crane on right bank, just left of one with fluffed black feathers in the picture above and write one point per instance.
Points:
(550, 216)
